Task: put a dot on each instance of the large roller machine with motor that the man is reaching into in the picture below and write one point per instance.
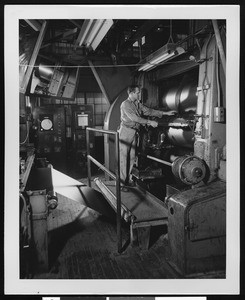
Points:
(183, 161)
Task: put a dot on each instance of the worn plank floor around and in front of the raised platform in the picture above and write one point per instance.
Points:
(83, 245)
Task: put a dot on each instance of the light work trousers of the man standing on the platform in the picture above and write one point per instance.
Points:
(127, 144)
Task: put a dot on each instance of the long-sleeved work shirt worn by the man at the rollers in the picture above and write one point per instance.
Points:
(131, 112)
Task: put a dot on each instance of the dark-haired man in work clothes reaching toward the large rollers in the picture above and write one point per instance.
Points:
(131, 112)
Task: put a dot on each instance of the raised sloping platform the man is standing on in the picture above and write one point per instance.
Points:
(139, 207)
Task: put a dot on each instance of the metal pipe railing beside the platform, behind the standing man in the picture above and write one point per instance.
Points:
(115, 176)
